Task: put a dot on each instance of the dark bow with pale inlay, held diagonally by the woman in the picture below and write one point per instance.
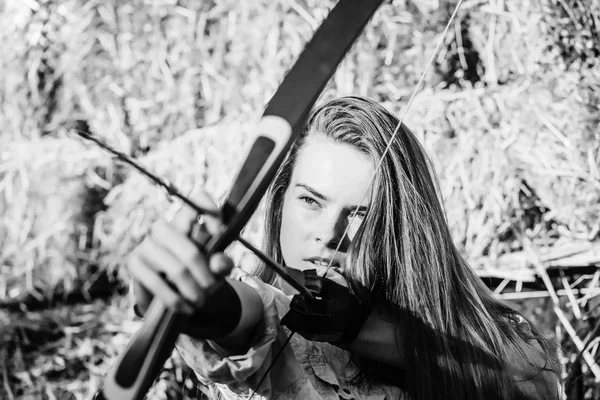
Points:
(135, 370)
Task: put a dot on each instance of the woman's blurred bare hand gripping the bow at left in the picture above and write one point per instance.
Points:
(173, 267)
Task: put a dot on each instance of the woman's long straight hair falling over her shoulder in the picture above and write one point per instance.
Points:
(456, 337)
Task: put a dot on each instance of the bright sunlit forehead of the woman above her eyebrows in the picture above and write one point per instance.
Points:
(334, 169)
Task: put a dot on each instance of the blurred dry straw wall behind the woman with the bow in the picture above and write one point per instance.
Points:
(509, 114)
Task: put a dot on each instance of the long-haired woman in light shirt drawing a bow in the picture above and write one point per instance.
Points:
(341, 200)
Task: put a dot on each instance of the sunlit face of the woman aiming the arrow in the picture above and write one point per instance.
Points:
(329, 182)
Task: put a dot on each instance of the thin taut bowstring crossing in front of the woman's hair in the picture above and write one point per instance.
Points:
(393, 137)
